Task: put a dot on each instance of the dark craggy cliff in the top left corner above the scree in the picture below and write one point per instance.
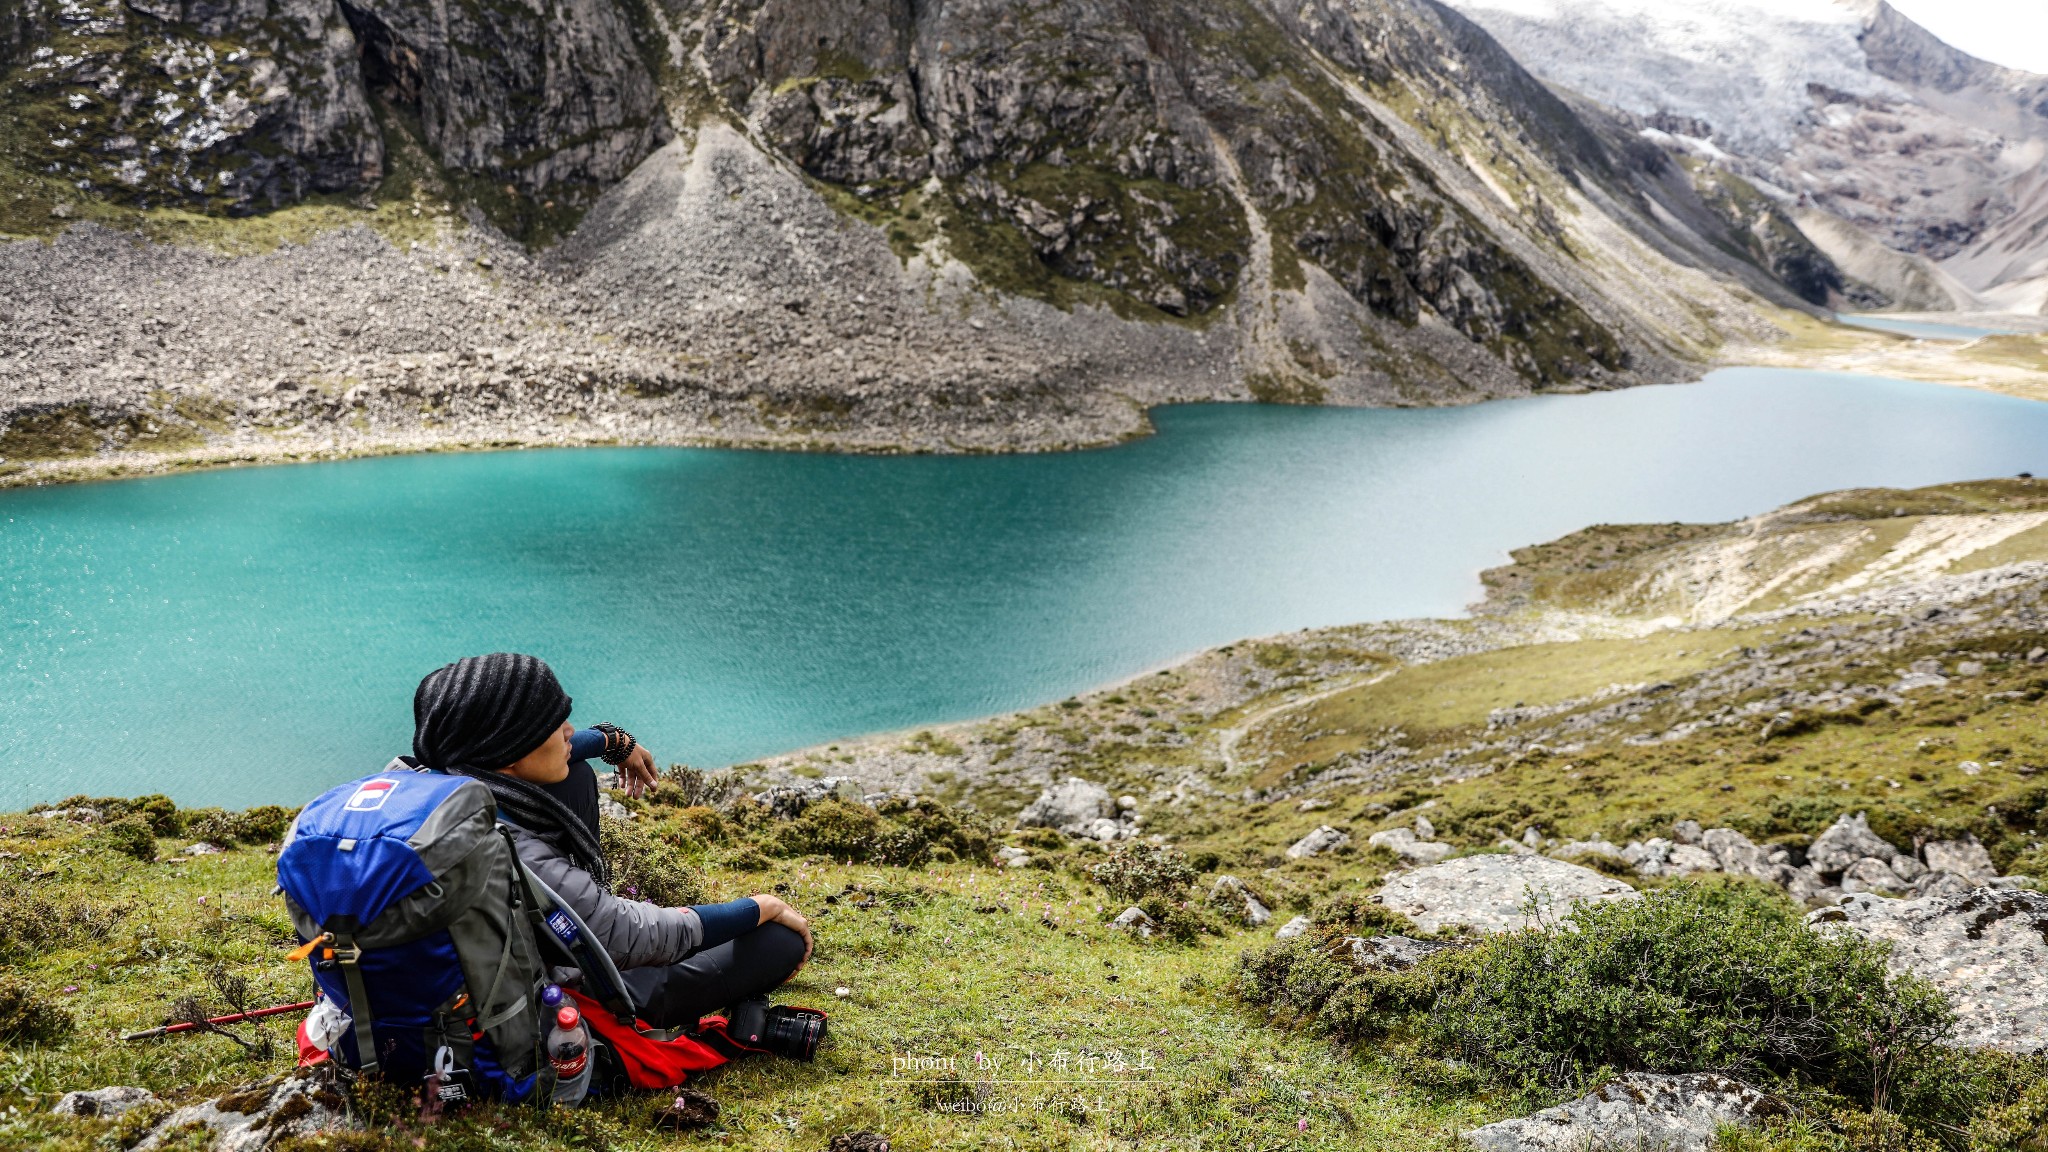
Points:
(243, 106)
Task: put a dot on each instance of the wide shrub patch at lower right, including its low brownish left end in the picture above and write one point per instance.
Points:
(1691, 979)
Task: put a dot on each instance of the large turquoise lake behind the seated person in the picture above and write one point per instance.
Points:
(255, 634)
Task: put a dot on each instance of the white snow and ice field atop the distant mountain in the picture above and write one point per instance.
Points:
(1742, 67)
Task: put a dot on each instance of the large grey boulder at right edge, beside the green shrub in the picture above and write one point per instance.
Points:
(1986, 950)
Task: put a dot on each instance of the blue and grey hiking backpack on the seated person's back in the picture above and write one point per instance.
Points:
(421, 919)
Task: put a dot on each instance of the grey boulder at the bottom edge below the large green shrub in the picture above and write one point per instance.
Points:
(1639, 1112)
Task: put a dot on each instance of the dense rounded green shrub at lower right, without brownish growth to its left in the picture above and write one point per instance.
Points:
(1691, 979)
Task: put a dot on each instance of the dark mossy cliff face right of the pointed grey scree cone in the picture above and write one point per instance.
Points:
(1132, 145)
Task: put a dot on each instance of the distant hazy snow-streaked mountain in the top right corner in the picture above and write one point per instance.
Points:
(1836, 108)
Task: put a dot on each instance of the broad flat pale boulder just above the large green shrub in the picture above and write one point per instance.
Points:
(1498, 893)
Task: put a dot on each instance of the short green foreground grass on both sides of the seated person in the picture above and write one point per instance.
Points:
(949, 962)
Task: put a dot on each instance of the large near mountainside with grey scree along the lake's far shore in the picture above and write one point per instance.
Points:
(847, 224)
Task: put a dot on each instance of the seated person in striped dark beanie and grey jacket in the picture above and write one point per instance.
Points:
(505, 721)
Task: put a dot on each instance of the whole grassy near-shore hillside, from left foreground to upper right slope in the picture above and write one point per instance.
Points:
(1592, 698)
